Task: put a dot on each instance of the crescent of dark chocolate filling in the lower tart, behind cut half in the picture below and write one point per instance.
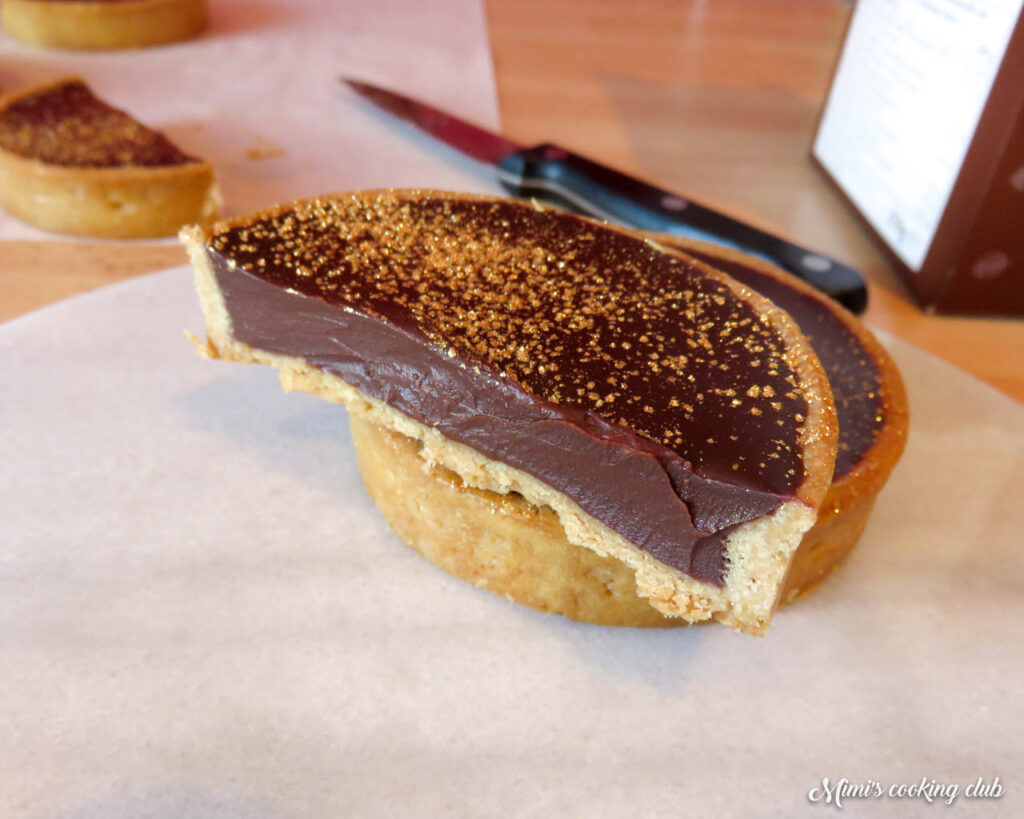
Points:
(852, 371)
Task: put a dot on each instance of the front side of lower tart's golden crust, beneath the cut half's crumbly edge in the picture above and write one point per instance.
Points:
(497, 542)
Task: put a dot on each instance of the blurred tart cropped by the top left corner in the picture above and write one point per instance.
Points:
(103, 25)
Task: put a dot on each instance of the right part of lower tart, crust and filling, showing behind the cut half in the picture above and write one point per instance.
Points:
(871, 405)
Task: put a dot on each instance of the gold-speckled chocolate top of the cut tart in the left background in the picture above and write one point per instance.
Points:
(67, 125)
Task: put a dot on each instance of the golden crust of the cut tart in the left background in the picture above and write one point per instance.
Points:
(132, 202)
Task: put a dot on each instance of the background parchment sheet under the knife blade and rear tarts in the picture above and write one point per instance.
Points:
(260, 97)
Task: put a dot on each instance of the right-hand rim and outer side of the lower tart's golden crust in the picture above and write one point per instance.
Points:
(848, 503)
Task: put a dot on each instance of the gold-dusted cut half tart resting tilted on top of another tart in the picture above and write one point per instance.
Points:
(666, 417)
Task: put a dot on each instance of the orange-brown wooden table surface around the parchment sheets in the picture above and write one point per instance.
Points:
(715, 100)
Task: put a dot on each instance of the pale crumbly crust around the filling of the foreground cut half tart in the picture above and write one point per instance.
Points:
(758, 554)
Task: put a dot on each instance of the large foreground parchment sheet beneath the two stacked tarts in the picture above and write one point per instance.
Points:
(203, 615)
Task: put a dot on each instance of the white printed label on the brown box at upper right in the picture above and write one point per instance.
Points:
(909, 92)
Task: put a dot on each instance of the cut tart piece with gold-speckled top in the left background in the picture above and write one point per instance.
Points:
(72, 164)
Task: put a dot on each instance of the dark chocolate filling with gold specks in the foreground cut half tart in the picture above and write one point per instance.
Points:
(633, 381)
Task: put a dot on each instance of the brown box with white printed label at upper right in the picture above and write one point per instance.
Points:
(975, 261)
